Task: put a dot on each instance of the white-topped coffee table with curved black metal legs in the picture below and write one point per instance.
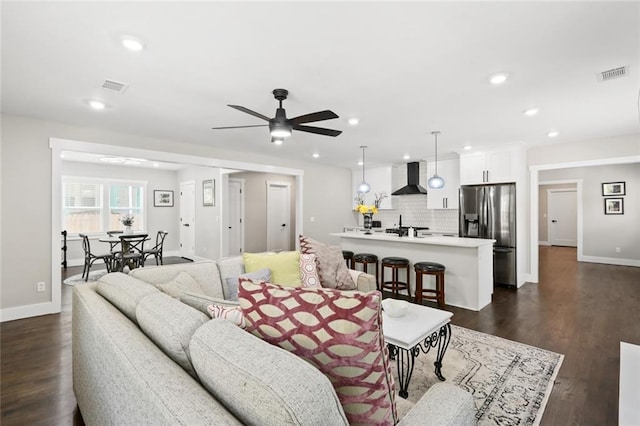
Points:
(419, 330)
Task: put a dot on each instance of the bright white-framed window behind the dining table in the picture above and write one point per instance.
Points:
(96, 206)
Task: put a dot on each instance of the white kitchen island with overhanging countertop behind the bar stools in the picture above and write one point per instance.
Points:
(469, 262)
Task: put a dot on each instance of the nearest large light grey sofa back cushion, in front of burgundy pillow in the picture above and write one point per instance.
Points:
(261, 384)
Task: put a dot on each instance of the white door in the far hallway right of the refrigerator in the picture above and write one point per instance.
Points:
(562, 217)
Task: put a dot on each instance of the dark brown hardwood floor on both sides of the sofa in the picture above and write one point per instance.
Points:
(582, 310)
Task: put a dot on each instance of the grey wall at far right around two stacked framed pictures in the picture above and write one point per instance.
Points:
(603, 233)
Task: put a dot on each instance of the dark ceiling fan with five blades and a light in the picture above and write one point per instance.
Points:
(281, 127)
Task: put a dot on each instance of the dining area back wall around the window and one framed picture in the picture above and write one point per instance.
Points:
(158, 218)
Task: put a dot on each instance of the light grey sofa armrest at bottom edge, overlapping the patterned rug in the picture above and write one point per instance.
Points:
(443, 404)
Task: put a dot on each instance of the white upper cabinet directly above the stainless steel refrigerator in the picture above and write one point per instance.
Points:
(494, 166)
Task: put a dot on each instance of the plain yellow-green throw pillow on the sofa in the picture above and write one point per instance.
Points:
(284, 266)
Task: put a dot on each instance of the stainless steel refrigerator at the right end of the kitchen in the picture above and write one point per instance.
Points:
(489, 211)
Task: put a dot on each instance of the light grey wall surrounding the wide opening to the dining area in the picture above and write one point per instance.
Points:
(26, 191)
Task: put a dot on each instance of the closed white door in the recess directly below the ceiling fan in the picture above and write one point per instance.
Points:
(278, 216)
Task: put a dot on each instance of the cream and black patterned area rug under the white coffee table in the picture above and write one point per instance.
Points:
(510, 381)
